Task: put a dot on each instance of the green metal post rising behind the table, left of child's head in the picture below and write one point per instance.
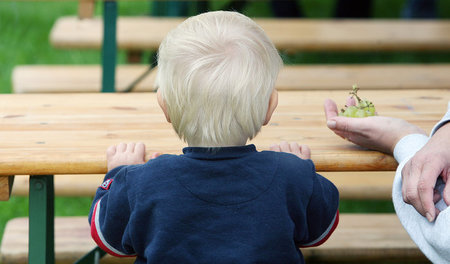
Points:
(109, 48)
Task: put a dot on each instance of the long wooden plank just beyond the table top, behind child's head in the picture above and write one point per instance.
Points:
(87, 78)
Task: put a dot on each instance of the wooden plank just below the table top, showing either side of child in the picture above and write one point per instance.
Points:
(367, 185)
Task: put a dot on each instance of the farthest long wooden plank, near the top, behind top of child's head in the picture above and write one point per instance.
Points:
(145, 33)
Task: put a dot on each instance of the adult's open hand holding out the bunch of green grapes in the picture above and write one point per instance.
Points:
(374, 132)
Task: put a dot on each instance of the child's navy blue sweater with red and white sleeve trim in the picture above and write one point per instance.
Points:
(220, 205)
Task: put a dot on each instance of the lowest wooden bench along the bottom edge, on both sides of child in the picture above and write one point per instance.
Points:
(358, 238)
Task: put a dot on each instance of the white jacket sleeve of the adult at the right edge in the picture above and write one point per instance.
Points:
(432, 238)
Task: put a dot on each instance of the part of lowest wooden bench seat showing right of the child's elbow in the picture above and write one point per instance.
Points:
(366, 237)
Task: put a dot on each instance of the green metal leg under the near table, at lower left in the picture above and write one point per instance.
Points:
(41, 248)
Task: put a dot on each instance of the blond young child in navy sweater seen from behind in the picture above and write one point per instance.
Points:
(221, 201)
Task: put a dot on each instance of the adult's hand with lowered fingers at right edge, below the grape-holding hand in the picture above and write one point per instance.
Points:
(420, 173)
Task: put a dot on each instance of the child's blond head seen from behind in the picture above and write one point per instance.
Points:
(216, 78)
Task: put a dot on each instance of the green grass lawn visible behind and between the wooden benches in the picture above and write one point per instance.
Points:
(24, 32)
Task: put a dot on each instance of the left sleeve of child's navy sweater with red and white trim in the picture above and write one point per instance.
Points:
(110, 213)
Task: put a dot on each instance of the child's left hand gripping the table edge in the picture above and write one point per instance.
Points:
(126, 154)
